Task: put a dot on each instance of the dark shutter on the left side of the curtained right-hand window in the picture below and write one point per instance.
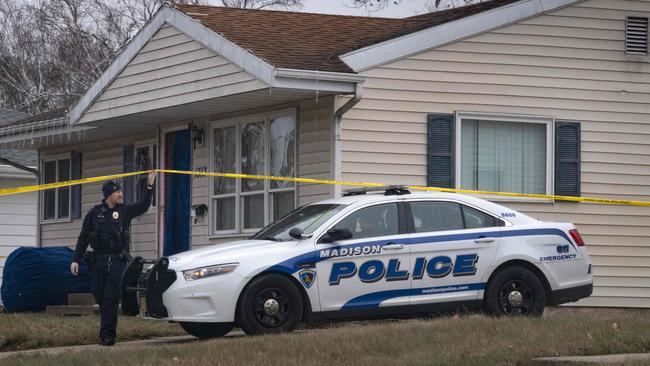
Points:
(440, 150)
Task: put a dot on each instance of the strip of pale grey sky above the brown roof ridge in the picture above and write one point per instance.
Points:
(404, 9)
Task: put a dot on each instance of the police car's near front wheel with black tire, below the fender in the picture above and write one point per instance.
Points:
(270, 304)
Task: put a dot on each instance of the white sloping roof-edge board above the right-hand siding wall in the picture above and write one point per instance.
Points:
(436, 36)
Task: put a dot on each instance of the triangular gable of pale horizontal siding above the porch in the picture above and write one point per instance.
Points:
(171, 69)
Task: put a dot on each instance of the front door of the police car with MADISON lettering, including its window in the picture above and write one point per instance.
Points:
(367, 274)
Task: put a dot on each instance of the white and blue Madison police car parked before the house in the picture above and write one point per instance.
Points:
(387, 254)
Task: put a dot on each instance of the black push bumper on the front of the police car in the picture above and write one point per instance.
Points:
(142, 291)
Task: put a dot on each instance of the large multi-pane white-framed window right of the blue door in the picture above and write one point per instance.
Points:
(256, 145)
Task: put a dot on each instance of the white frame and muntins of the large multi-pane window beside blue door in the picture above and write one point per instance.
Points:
(238, 122)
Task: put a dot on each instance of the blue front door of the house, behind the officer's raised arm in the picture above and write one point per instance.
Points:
(178, 191)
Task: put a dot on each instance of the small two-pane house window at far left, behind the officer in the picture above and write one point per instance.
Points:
(56, 202)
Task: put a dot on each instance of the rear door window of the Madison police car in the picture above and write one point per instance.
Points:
(436, 216)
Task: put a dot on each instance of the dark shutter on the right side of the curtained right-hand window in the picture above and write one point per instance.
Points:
(567, 158)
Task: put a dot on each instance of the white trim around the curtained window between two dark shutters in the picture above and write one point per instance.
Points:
(549, 121)
